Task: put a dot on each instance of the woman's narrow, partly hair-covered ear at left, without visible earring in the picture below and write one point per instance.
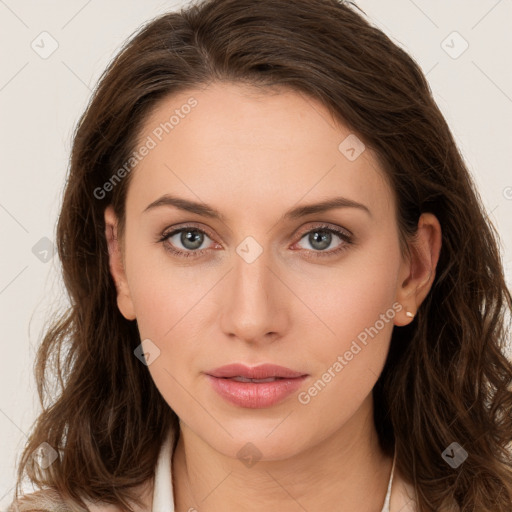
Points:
(116, 264)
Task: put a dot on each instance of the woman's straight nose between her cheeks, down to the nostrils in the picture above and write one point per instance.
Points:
(254, 302)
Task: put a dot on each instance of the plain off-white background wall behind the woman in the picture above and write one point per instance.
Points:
(463, 46)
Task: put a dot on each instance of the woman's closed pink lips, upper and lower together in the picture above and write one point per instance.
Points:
(255, 395)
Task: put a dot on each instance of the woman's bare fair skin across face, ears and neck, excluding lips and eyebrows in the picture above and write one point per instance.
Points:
(253, 155)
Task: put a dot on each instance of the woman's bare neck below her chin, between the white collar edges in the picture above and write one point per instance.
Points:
(346, 471)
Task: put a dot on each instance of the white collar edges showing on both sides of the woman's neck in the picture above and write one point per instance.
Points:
(163, 495)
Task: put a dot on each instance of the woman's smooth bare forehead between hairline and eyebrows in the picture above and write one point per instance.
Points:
(228, 143)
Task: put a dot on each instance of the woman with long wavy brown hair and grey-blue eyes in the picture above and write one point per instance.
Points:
(285, 293)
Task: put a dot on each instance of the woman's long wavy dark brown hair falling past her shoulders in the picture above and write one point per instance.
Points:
(446, 378)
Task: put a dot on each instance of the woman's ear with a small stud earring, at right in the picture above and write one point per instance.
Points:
(418, 271)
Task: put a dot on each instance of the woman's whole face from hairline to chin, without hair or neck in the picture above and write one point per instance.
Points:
(264, 280)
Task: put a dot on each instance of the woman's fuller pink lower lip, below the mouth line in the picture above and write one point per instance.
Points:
(255, 395)
